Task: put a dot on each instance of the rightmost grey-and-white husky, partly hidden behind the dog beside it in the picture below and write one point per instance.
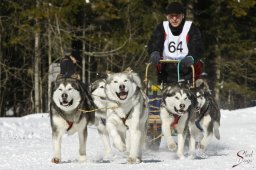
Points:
(205, 121)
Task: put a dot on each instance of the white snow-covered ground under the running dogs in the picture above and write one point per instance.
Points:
(25, 143)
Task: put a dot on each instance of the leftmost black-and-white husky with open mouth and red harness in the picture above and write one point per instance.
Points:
(68, 96)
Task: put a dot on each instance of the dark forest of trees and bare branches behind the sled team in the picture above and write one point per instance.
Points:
(113, 35)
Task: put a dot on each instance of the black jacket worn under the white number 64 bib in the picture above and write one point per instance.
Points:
(168, 72)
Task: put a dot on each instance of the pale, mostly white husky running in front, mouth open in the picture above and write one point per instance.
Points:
(127, 113)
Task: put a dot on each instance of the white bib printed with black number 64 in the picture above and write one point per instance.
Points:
(175, 47)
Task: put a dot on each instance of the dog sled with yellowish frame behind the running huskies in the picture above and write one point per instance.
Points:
(153, 92)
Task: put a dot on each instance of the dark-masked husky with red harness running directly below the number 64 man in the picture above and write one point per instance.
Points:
(177, 104)
